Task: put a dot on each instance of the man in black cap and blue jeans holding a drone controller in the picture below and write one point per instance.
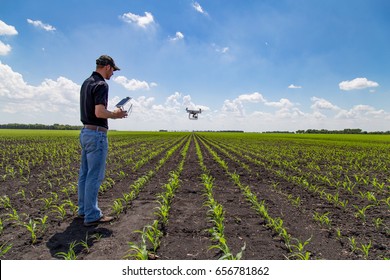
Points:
(93, 139)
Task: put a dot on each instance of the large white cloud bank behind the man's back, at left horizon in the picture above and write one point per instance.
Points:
(50, 101)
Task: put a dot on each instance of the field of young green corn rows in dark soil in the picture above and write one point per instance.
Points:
(203, 195)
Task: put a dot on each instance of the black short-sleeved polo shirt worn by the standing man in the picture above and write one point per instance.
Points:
(94, 91)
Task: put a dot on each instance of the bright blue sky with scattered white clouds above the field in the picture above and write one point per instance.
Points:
(254, 65)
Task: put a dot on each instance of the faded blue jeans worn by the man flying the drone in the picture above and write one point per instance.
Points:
(94, 148)
